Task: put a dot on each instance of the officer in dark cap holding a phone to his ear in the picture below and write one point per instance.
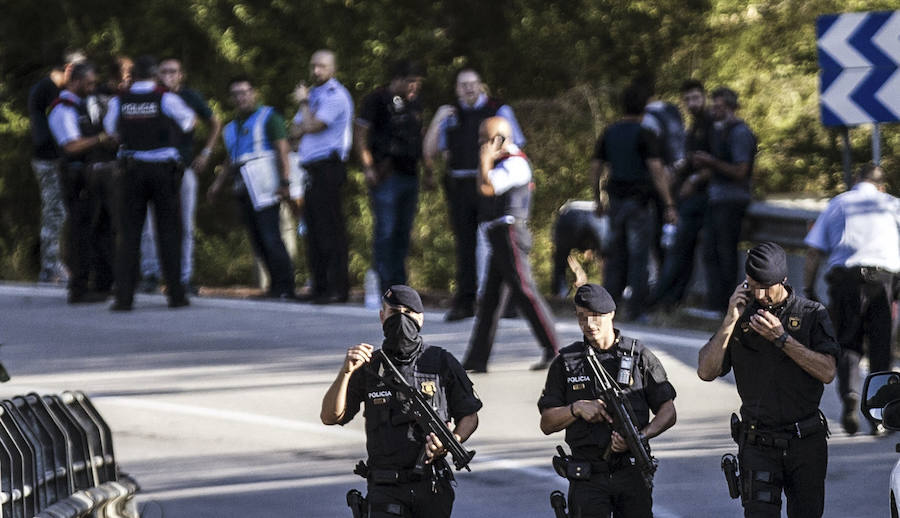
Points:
(783, 350)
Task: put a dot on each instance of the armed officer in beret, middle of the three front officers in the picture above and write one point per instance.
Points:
(570, 402)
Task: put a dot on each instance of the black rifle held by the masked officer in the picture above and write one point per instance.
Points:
(415, 406)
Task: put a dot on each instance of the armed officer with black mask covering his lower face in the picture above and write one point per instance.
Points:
(393, 440)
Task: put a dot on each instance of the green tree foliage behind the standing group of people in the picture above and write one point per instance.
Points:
(559, 64)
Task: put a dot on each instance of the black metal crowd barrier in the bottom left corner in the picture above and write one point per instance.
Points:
(57, 460)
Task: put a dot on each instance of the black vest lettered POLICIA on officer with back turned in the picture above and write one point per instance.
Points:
(142, 124)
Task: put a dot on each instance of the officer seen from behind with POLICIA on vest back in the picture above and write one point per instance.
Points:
(149, 123)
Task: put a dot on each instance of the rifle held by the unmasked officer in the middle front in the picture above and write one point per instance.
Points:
(624, 420)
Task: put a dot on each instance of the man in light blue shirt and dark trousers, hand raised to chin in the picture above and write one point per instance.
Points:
(323, 126)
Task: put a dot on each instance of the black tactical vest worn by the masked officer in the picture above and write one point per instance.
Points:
(393, 440)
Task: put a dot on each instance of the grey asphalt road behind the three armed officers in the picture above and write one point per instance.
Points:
(215, 409)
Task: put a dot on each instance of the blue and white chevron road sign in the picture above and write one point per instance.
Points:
(859, 54)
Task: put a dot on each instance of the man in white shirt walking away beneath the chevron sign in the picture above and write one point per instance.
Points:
(858, 232)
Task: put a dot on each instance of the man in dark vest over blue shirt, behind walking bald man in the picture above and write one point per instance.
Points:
(457, 139)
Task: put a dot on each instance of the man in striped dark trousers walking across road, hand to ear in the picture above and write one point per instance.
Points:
(504, 183)
